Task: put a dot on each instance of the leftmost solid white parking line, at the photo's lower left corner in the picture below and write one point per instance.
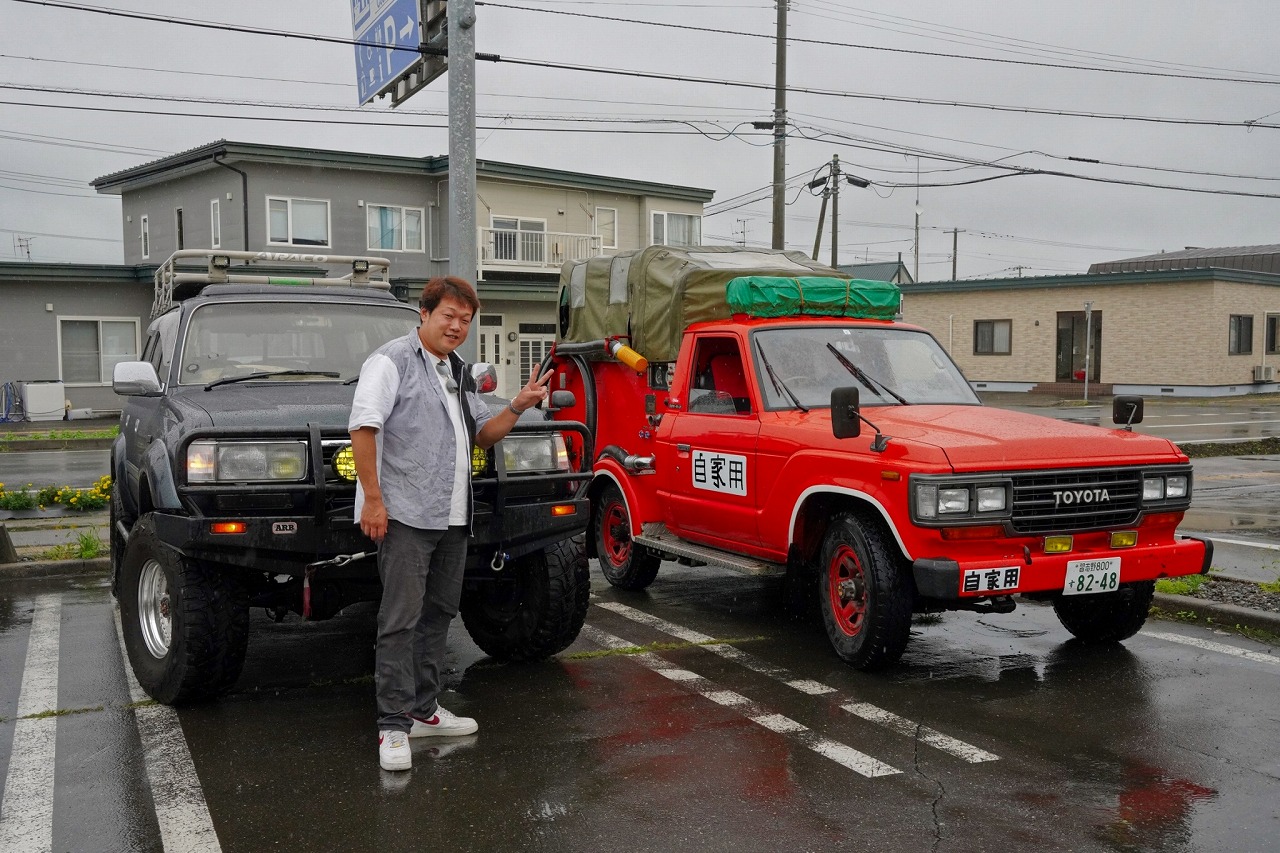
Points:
(28, 810)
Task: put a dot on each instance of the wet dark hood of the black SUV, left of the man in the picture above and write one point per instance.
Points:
(272, 404)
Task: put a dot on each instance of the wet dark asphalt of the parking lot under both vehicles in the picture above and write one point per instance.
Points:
(995, 733)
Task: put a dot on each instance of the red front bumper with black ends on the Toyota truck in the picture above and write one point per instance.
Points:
(945, 580)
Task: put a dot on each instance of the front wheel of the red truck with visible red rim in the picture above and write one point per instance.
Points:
(865, 596)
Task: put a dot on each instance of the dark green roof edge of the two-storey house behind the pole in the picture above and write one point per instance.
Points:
(208, 157)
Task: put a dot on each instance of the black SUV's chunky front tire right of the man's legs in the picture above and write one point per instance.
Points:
(534, 608)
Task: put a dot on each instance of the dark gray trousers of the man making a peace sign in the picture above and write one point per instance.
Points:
(422, 573)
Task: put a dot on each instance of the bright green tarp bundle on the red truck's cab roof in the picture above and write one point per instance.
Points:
(772, 297)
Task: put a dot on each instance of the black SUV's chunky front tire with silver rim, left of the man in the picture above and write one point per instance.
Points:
(195, 615)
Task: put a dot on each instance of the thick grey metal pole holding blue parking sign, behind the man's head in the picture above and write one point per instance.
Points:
(464, 249)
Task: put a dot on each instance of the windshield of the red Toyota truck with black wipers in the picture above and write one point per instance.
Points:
(893, 362)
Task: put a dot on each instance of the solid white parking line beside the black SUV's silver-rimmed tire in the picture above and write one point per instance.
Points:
(180, 801)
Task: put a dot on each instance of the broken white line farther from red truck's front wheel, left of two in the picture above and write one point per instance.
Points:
(842, 754)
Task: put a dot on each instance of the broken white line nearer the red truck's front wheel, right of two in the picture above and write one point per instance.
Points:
(870, 713)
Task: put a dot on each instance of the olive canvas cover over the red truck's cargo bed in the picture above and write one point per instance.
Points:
(653, 294)
